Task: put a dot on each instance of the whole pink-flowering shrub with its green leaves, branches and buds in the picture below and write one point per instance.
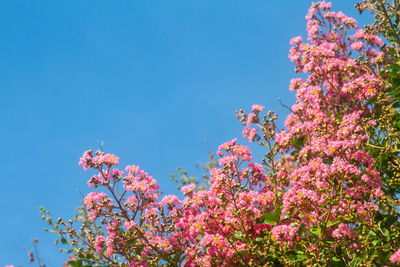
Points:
(324, 193)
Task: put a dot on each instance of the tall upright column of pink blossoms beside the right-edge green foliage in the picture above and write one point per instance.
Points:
(333, 177)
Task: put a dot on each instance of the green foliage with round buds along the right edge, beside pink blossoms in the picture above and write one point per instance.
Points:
(384, 141)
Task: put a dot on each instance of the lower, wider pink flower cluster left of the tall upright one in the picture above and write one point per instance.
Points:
(200, 224)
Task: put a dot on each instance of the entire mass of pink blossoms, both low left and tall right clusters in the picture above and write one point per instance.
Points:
(328, 177)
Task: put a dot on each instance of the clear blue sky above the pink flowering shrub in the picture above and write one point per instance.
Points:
(151, 79)
